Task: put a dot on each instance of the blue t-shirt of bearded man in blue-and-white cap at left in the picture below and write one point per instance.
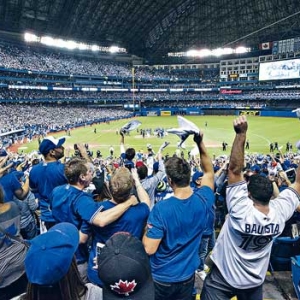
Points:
(43, 178)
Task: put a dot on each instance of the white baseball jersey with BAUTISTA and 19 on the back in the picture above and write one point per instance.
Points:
(242, 250)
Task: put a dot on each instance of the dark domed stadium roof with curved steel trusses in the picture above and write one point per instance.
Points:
(152, 28)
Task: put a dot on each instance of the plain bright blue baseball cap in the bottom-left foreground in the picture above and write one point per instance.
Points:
(50, 254)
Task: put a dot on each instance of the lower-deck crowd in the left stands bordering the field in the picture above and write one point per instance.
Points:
(21, 122)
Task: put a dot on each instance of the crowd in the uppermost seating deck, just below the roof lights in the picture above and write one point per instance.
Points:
(18, 58)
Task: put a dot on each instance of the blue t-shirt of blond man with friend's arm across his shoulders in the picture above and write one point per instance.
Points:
(132, 221)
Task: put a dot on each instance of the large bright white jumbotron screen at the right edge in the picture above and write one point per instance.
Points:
(278, 70)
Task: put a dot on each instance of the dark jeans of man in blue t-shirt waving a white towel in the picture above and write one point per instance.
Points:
(182, 290)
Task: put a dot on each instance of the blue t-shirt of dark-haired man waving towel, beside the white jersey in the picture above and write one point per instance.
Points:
(179, 224)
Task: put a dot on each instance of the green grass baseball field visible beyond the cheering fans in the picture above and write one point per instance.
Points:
(261, 131)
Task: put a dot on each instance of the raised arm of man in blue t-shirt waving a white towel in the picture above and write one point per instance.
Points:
(205, 161)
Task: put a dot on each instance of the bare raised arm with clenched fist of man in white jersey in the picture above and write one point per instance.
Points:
(236, 162)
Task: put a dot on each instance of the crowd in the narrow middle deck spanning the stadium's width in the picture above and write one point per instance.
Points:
(121, 97)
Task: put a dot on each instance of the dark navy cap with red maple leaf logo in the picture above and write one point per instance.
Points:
(124, 268)
